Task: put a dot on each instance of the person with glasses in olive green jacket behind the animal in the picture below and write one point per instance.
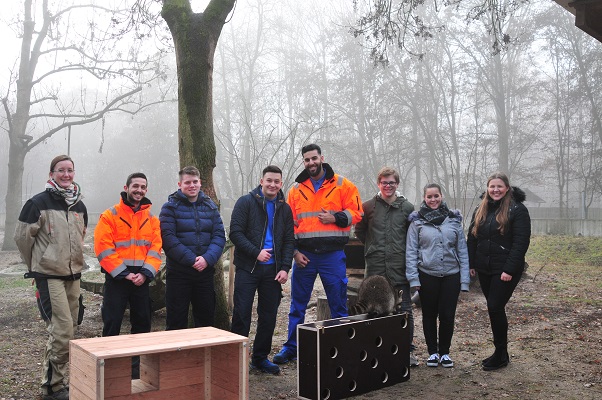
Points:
(383, 231)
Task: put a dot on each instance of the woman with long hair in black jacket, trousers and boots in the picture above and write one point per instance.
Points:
(498, 239)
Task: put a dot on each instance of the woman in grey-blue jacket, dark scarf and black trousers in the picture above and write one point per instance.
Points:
(437, 265)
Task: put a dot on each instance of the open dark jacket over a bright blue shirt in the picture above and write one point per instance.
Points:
(248, 224)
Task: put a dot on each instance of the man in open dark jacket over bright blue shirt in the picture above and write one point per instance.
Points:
(262, 231)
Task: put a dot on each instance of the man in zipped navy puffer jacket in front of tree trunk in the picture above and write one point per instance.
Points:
(193, 240)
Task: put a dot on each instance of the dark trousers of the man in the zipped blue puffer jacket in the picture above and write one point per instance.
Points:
(182, 290)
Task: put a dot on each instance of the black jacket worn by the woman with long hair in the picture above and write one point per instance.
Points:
(490, 252)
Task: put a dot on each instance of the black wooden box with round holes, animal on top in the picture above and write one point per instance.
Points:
(345, 357)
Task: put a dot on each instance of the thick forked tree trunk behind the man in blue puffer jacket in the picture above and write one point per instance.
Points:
(195, 37)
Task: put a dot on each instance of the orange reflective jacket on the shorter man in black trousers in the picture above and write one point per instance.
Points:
(125, 238)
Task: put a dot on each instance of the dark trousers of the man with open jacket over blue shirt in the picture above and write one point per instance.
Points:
(269, 294)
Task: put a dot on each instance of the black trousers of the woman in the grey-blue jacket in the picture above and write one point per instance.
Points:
(438, 299)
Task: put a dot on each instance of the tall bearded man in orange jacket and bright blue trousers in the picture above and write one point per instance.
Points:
(324, 206)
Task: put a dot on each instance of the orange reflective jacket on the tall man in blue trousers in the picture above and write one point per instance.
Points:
(338, 196)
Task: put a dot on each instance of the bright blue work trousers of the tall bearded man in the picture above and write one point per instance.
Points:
(332, 269)
